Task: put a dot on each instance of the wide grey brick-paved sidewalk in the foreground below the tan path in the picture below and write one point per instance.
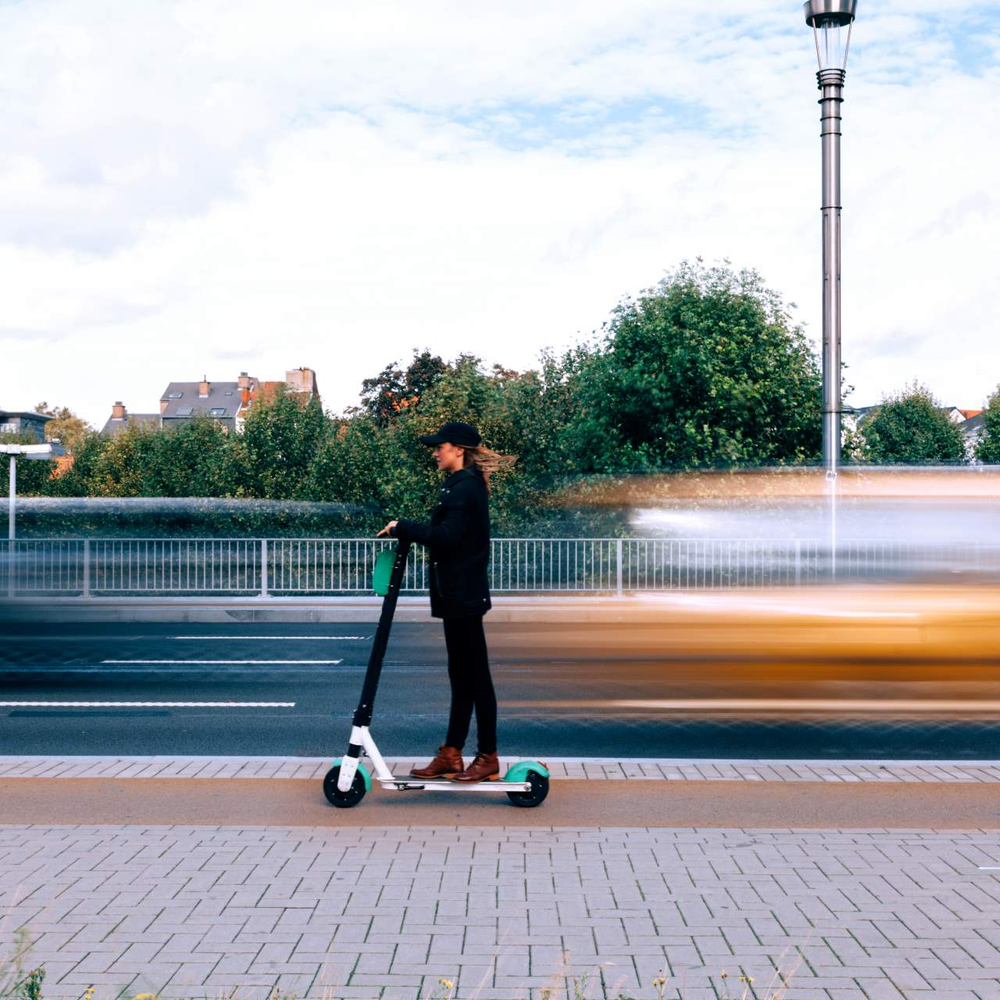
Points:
(369, 912)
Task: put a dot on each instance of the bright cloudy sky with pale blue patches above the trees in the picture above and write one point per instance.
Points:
(205, 187)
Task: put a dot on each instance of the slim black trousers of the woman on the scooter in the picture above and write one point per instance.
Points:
(471, 683)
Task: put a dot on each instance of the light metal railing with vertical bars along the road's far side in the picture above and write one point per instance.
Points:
(329, 566)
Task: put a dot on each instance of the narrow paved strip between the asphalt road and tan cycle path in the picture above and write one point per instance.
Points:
(666, 770)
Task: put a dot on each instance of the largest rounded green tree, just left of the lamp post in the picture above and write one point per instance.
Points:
(706, 369)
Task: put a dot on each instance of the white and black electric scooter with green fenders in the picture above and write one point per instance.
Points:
(526, 783)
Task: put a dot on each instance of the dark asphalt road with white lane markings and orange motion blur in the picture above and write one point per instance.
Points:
(581, 690)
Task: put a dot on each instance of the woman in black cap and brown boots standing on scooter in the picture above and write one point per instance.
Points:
(458, 537)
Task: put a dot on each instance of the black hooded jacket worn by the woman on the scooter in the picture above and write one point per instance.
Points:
(458, 538)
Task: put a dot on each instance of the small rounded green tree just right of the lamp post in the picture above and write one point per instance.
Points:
(911, 428)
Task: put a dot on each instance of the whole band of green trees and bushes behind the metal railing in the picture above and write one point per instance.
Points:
(707, 370)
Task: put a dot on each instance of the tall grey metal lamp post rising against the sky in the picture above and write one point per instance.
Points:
(831, 22)
